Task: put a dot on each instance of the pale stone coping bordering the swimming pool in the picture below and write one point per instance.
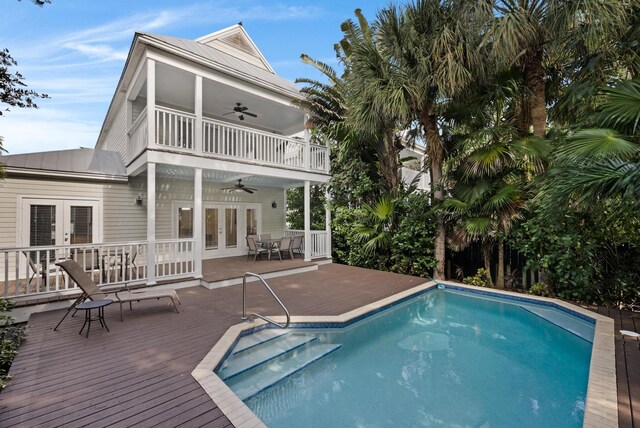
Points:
(601, 404)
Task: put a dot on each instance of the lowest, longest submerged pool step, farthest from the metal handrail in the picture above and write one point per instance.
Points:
(252, 382)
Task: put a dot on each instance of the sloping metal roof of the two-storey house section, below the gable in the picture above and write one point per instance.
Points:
(226, 61)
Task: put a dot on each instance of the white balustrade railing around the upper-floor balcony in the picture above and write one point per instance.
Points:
(180, 131)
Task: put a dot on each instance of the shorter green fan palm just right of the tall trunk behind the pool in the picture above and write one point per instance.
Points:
(489, 169)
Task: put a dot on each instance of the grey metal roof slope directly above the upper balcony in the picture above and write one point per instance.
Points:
(223, 61)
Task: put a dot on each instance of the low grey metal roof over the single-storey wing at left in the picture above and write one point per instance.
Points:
(77, 161)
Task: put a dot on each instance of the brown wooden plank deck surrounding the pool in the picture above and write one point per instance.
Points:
(140, 372)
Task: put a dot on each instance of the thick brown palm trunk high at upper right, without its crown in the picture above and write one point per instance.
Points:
(534, 82)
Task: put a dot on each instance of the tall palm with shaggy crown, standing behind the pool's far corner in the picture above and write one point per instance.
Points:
(432, 47)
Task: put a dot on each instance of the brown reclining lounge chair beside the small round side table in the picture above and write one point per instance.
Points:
(91, 291)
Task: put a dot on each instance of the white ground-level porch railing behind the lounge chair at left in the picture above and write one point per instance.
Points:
(30, 271)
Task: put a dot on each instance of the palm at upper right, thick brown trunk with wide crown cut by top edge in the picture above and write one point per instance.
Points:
(530, 34)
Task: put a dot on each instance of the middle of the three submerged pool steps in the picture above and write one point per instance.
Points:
(240, 362)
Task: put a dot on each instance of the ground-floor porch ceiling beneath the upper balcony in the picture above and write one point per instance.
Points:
(225, 177)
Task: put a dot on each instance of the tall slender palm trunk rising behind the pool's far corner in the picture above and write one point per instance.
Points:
(436, 153)
